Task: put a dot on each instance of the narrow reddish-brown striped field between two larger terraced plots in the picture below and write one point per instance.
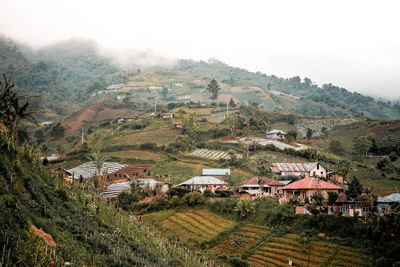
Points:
(249, 233)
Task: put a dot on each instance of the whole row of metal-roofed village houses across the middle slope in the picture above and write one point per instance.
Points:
(314, 178)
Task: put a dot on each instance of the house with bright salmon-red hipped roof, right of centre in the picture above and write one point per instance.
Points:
(307, 187)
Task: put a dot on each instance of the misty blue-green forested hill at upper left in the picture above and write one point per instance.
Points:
(63, 74)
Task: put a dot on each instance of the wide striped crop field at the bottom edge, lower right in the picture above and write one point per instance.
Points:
(279, 250)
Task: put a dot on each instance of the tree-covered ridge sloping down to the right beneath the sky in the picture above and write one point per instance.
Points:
(295, 95)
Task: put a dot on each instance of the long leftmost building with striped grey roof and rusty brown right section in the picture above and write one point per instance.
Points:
(113, 170)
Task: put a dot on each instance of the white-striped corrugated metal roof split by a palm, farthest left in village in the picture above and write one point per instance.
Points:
(88, 169)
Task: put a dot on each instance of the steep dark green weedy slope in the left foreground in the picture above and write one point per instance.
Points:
(77, 227)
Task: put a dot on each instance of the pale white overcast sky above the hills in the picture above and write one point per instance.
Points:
(352, 44)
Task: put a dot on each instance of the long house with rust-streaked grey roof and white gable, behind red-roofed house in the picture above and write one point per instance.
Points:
(314, 169)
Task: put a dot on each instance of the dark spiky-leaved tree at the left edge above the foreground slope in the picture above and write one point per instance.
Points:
(14, 106)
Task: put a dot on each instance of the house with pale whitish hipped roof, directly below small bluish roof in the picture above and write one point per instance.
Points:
(202, 183)
